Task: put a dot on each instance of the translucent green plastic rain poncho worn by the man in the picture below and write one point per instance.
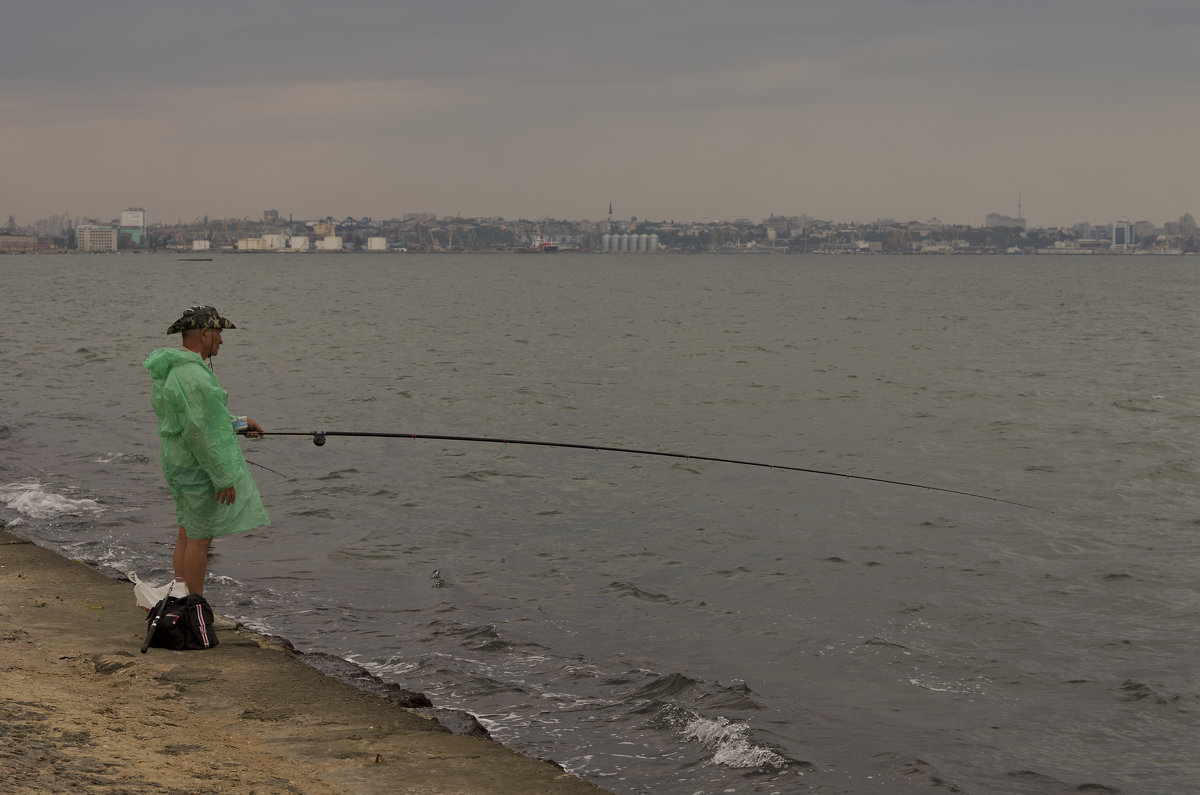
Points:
(201, 455)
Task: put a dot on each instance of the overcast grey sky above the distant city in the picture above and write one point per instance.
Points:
(686, 110)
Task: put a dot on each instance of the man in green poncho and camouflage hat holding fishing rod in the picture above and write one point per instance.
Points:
(203, 464)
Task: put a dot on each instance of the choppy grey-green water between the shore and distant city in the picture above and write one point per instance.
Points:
(663, 625)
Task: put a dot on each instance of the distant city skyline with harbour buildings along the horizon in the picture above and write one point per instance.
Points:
(422, 232)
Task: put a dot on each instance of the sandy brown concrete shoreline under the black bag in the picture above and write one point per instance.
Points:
(82, 710)
